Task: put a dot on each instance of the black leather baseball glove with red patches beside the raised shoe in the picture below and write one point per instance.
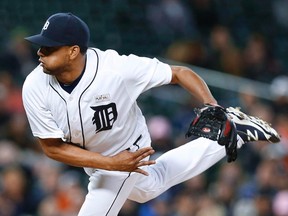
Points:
(212, 122)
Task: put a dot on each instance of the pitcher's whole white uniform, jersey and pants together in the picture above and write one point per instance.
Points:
(101, 115)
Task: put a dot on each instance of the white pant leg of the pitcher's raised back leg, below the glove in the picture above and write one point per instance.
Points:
(176, 166)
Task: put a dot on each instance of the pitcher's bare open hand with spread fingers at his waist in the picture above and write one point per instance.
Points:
(131, 161)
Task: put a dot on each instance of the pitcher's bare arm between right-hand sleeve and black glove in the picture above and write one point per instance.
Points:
(193, 83)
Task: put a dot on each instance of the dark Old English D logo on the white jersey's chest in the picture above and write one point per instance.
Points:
(104, 116)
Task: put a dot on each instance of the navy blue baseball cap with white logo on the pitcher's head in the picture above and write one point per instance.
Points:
(62, 29)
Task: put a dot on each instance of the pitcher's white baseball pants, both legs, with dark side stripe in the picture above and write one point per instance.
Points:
(107, 191)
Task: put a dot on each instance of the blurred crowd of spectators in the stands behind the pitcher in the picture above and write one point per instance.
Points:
(196, 32)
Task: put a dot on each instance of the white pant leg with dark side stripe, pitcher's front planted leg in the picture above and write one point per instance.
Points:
(107, 192)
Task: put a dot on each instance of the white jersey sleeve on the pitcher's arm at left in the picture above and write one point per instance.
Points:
(40, 118)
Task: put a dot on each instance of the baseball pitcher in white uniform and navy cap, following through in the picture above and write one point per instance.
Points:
(81, 103)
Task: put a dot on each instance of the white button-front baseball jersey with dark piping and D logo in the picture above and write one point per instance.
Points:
(101, 113)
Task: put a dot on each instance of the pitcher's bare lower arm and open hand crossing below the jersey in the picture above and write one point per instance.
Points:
(73, 155)
